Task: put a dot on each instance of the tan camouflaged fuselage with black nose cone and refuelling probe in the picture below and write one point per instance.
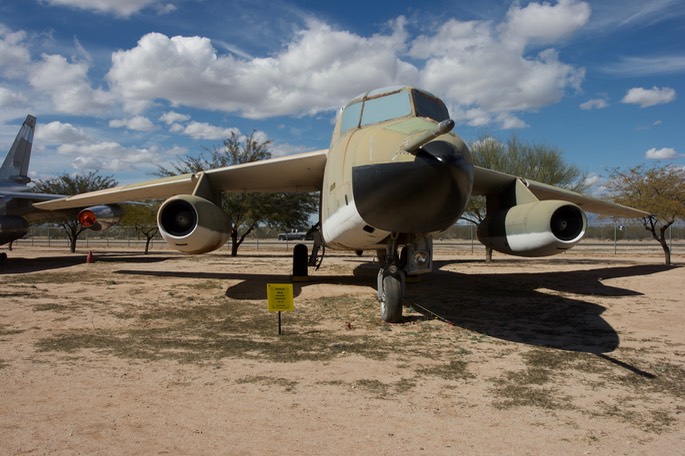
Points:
(374, 187)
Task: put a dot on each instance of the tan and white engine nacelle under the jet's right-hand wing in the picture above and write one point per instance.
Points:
(539, 228)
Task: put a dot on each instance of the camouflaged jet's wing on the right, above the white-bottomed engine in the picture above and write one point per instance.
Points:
(487, 181)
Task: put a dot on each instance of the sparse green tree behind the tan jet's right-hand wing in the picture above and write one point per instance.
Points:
(540, 162)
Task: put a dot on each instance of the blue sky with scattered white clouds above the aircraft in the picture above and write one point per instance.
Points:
(119, 86)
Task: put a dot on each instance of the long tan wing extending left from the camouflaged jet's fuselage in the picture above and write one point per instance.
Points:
(292, 173)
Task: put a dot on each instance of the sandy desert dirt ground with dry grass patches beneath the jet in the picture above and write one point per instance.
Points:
(170, 354)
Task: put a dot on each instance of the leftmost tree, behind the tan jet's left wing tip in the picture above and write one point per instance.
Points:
(66, 184)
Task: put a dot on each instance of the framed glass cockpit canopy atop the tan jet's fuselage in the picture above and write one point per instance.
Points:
(391, 103)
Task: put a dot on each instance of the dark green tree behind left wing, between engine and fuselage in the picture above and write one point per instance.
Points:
(247, 210)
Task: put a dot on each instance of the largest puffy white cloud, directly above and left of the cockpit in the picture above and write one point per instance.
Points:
(321, 69)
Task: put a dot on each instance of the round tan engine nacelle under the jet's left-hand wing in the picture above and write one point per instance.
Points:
(192, 224)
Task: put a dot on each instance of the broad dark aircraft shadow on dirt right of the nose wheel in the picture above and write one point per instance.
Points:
(535, 308)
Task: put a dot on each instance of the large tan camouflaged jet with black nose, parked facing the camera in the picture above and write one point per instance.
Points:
(394, 176)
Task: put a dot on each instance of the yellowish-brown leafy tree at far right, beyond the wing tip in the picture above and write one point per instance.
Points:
(659, 190)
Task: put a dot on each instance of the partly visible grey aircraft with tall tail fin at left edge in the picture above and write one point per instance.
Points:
(16, 201)
